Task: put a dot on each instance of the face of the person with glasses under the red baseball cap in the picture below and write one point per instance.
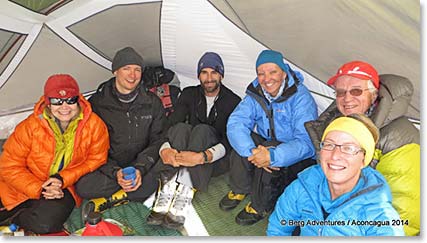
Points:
(349, 104)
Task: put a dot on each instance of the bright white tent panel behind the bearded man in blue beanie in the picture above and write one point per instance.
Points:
(209, 30)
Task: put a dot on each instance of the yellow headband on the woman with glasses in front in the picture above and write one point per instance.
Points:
(357, 130)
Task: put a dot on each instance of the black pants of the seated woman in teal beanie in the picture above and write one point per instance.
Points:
(264, 187)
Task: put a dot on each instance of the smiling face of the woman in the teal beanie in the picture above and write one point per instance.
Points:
(270, 77)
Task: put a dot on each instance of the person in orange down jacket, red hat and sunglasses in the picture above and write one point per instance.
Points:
(47, 153)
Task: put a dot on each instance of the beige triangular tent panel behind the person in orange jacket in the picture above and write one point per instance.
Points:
(26, 85)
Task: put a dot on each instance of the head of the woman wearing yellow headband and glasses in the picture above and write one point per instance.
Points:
(348, 145)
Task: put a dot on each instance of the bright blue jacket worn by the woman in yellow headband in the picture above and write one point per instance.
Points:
(364, 211)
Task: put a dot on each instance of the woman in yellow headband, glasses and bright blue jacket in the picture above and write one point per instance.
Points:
(341, 196)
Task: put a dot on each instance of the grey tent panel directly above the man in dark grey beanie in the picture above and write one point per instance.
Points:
(135, 25)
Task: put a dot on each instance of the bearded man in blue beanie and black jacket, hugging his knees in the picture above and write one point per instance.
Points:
(197, 146)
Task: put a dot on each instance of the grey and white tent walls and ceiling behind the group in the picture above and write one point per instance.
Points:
(80, 37)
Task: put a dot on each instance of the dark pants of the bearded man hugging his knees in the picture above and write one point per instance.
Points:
(184, 137)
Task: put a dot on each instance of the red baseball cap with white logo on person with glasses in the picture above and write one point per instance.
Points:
(357, 69)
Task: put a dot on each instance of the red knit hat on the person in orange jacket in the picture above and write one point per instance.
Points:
(60, 86)
